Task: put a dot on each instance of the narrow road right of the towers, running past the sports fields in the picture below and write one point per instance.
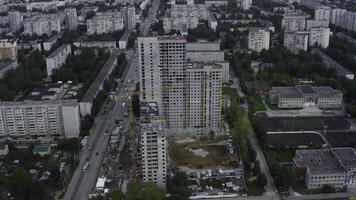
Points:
(270, 187)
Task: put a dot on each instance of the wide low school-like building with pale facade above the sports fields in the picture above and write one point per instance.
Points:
(305, 95)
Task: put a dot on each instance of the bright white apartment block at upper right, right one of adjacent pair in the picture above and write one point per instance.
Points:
(319, 36)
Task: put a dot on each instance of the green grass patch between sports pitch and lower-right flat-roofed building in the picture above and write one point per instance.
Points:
(276, 156)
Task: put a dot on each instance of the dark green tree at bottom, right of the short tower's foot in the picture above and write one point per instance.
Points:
(178, 187)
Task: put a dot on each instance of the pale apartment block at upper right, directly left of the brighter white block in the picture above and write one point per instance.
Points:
(296, 41)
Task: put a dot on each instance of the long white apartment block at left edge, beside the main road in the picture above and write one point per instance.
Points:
(39, 118)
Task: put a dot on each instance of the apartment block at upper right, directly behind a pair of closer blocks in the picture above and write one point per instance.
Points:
(292, 23)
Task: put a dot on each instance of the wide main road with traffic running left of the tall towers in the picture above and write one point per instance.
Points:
(83, 182)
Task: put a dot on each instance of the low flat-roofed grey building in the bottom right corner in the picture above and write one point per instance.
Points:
(335, 167)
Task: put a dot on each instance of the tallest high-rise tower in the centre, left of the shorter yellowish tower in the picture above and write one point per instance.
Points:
(163, 72)
